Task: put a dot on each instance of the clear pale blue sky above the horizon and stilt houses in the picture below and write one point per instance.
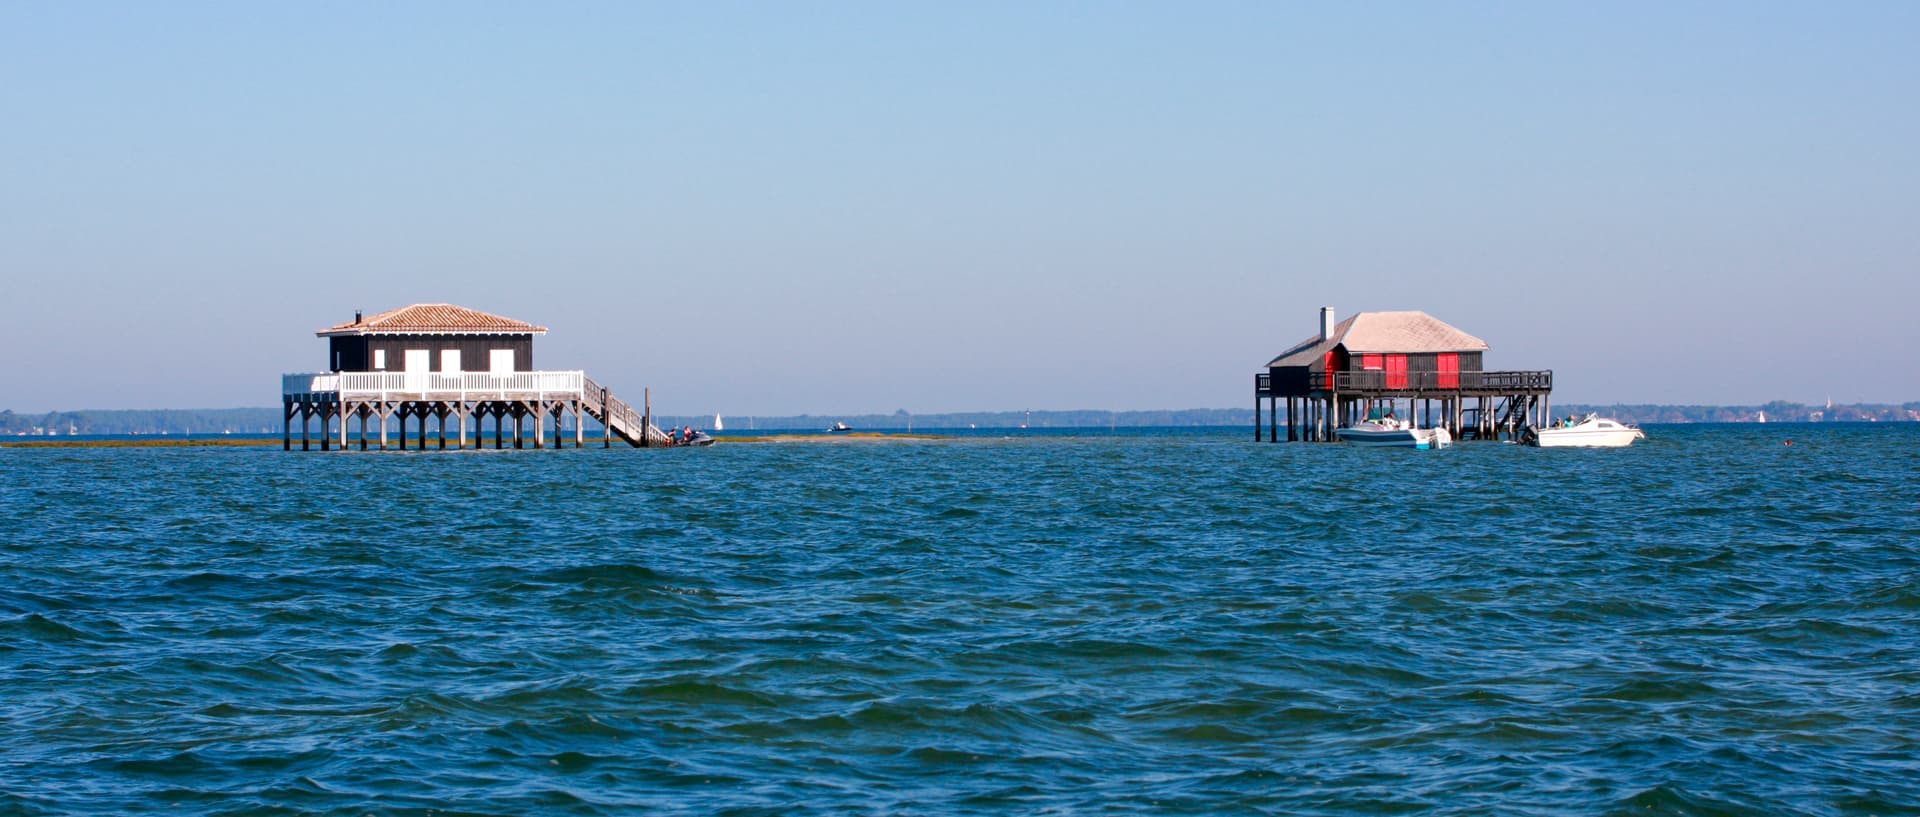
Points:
(844, 208)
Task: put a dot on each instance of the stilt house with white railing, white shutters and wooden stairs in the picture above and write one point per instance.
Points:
(456, 367)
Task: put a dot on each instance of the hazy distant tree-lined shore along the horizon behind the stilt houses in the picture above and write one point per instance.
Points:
(268, 421)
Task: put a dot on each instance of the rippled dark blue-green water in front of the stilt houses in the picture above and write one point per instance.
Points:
(1708, 624)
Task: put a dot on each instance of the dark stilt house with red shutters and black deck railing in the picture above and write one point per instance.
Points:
(1374, 360)
